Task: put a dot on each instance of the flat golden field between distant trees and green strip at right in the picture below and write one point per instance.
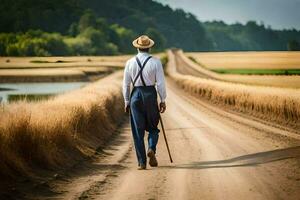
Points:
(248, 60)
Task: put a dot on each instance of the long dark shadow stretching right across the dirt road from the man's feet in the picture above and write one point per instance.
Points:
(244, 160)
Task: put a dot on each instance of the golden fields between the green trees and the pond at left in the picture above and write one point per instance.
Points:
(57, 69)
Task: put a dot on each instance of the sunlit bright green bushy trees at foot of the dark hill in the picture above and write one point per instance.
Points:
(89, 36)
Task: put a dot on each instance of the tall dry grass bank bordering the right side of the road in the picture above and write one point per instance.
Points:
(282, 105)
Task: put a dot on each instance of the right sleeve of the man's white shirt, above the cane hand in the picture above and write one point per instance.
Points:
(160, 82)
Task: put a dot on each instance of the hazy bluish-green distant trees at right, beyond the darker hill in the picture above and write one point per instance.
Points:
(251, 36)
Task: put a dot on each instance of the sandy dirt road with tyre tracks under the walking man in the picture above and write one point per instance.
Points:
(217, 155)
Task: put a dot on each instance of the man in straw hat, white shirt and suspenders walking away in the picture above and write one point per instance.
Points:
(144, 72)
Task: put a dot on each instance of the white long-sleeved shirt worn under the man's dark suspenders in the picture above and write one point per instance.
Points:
(153, 74)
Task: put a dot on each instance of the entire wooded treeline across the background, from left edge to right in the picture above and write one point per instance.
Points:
(93, 27)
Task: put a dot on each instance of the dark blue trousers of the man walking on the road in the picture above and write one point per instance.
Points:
(144, 117)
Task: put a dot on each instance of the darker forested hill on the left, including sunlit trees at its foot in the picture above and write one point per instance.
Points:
(124, 21)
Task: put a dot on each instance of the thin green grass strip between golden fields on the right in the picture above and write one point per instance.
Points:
(259, 71)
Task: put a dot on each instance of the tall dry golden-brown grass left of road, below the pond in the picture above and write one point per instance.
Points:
(59, 132)
